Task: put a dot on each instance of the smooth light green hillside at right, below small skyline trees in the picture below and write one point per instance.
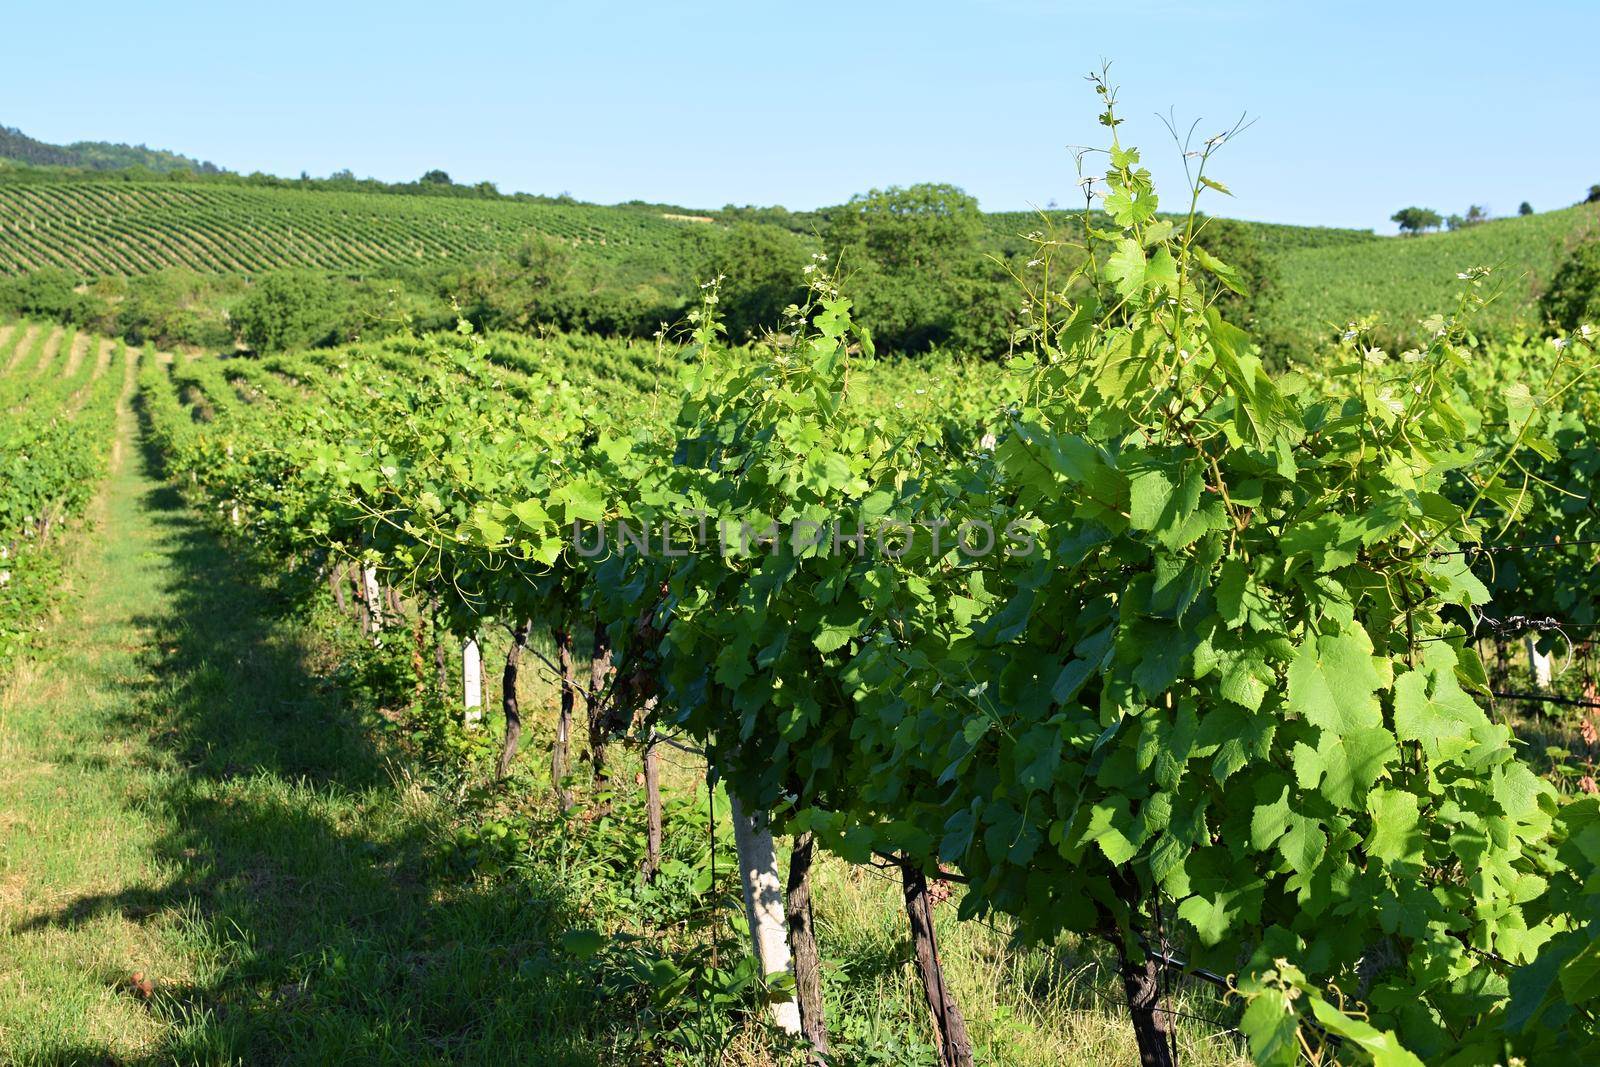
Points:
(1407, 279)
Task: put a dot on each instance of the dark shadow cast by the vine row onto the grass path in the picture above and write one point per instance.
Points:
(306, 879)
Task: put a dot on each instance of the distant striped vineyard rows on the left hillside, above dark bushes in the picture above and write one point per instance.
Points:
(127, 230)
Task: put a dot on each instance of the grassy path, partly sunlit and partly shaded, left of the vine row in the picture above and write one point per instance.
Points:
(185, 797)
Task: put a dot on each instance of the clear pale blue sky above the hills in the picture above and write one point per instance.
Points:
(1362, 108)
